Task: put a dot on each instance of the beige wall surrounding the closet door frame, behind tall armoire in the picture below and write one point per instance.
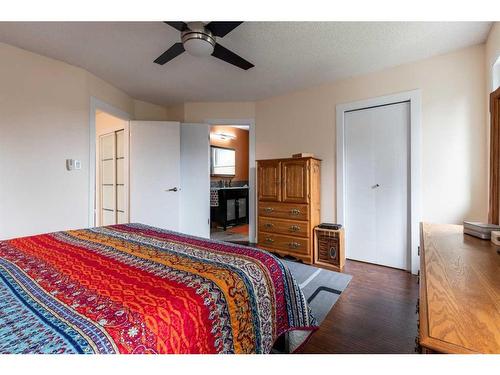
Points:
(453, 150)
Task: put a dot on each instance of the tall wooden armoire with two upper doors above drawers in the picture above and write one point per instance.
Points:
(288, 196)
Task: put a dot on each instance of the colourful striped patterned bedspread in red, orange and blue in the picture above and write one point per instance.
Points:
(138, 289)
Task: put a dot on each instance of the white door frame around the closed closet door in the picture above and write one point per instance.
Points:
(414, 212)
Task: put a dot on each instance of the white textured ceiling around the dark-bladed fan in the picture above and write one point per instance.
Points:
(288, 55)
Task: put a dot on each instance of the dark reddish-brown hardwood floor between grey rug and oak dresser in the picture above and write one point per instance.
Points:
(375, 314)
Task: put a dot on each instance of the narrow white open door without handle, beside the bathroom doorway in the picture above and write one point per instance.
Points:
(195, 180)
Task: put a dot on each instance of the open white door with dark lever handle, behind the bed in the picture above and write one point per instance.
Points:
(155, 173)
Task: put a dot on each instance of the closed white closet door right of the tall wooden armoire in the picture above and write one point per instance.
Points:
(377, 183)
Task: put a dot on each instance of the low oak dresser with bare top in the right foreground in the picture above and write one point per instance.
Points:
(459, 305)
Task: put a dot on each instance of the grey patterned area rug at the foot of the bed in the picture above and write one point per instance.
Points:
(322, 288)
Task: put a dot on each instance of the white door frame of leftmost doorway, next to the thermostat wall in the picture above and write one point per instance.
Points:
(97, 105)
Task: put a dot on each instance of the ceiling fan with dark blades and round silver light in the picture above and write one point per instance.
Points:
(199, 39)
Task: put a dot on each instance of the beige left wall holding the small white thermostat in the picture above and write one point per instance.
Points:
(44, 119)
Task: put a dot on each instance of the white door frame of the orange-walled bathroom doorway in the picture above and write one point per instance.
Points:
(252, 201)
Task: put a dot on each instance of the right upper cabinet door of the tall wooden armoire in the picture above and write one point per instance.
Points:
(295, 181)
